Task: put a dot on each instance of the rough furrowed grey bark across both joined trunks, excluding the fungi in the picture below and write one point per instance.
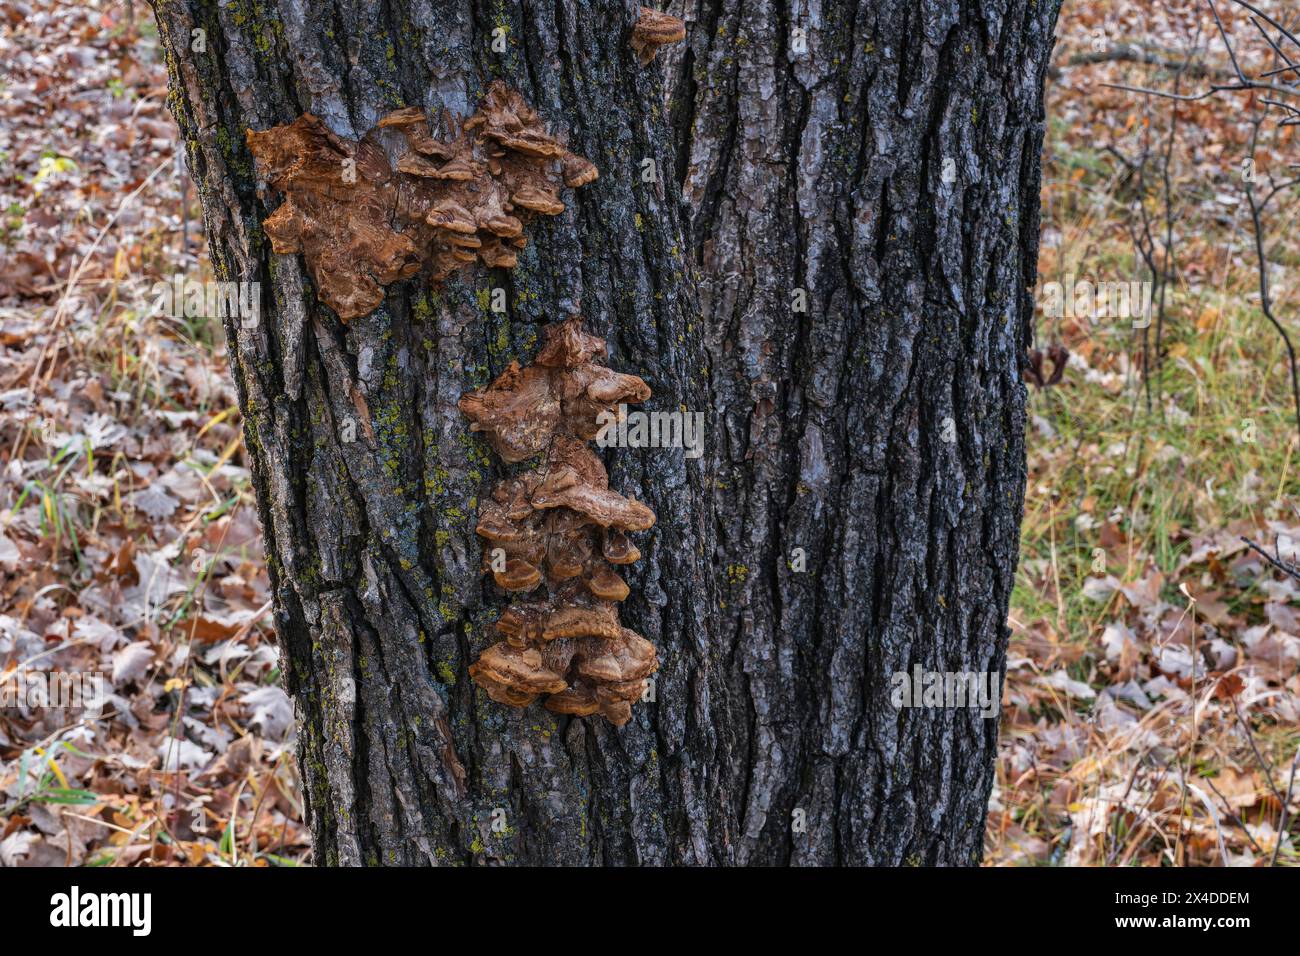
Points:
(821, 171)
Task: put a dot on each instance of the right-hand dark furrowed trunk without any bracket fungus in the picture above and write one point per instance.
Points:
(881, 432)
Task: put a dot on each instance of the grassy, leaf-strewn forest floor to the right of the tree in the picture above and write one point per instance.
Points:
(1152, 694)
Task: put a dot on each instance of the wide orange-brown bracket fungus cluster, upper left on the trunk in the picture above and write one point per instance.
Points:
(366, 214)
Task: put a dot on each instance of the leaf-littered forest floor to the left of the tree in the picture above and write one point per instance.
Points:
(129, 538)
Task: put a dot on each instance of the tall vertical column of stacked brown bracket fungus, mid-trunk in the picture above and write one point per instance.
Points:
(560, 527)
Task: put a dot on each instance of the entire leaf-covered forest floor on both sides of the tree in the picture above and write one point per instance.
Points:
(1154, 684)
